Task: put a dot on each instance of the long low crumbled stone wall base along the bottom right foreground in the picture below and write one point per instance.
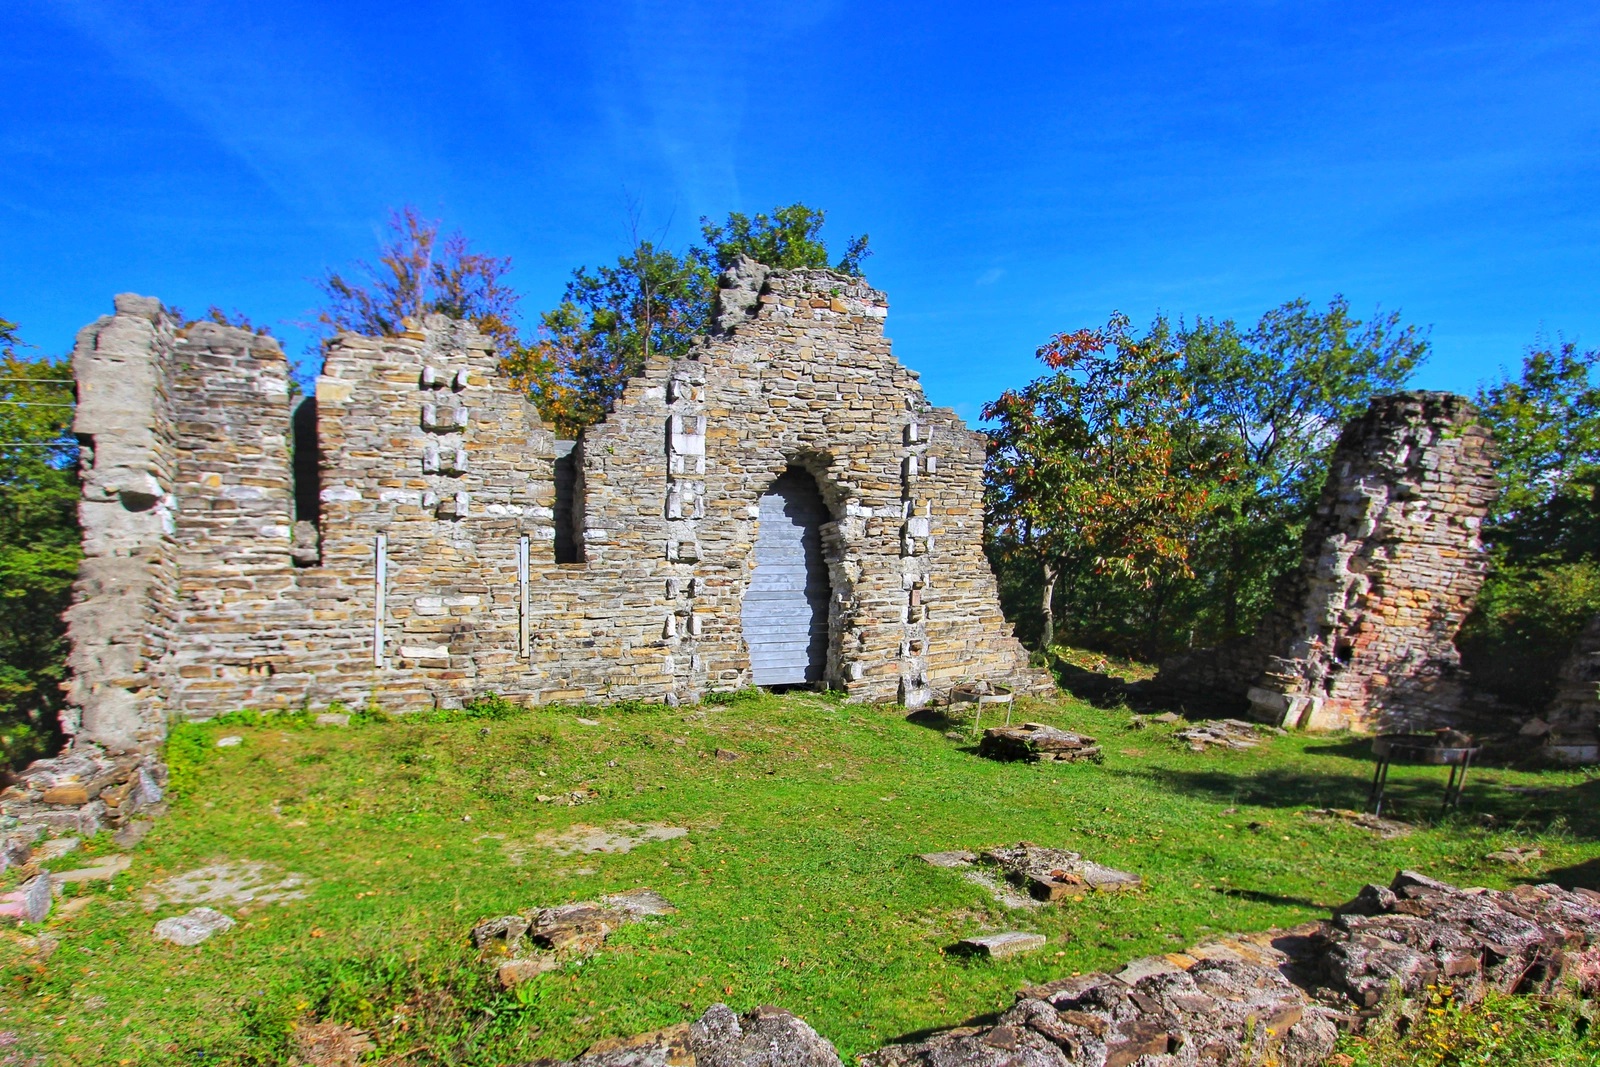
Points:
(1281, 997)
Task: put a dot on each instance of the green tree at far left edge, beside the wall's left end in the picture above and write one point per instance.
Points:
(39, 545)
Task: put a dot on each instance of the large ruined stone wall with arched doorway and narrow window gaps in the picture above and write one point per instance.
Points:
(414, 535)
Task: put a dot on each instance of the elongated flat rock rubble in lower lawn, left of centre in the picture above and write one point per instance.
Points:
(553, 937)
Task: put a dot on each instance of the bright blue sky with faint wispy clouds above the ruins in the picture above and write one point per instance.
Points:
(1022, 169)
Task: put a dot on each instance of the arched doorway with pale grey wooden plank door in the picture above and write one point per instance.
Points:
(785, 610)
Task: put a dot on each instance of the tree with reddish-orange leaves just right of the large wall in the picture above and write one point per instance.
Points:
(1094, 468)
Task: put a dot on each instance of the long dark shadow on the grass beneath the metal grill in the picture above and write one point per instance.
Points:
(1414, 797)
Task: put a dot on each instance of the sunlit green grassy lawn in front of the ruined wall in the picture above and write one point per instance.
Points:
(798, 882)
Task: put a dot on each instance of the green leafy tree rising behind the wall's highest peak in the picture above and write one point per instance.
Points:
(657, 302)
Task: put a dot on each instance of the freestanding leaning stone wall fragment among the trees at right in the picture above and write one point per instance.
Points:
(1362, 636)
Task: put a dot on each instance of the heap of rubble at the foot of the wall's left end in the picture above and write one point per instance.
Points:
(82, 793)
